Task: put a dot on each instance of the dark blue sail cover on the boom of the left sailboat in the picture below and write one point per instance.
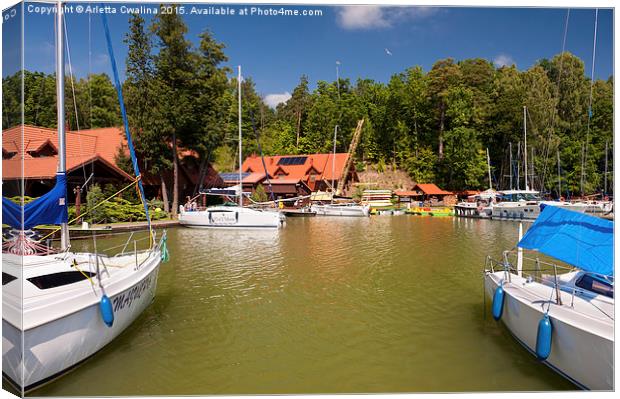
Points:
(50, 208)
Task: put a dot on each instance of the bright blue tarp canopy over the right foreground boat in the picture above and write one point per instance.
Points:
(581, 240)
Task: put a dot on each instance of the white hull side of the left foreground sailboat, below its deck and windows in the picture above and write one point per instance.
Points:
(73, 329)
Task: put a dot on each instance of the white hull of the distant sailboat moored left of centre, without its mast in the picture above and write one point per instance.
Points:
(231, 217)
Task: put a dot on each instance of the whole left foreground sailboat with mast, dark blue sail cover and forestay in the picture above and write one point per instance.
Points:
(61, 307)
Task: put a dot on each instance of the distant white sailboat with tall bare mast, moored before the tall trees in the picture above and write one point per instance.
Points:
(232, 217)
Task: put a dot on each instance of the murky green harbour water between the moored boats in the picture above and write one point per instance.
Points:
(325, 305)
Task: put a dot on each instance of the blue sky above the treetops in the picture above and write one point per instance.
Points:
(370, 42)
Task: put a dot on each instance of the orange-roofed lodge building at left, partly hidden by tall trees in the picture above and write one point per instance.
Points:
(92, 151)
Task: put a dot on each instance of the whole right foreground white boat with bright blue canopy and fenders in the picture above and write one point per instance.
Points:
(564, 315)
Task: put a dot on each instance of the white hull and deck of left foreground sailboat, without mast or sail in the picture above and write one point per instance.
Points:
(52, 307)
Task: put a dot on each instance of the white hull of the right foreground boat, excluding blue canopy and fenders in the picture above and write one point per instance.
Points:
(582, 342)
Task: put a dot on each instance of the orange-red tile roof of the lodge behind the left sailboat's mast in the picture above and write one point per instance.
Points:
(83, 147)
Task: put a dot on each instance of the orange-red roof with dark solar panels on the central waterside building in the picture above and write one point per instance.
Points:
(321, 163)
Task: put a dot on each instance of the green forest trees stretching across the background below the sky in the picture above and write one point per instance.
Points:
(437, 125)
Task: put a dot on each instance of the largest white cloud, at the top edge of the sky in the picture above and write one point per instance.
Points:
(378, 17)
